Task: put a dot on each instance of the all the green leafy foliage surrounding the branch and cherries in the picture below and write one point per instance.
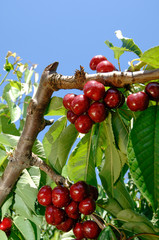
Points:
(120, 155)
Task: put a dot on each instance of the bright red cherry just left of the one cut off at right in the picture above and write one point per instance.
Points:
(138, 101)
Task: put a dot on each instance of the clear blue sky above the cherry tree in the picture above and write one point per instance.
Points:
(73, 31)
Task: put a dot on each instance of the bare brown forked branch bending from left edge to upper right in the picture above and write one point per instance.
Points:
(51, 81)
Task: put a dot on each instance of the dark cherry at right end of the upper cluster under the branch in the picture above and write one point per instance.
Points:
(112, 98)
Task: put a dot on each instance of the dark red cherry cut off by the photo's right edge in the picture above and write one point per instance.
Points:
(152, 89)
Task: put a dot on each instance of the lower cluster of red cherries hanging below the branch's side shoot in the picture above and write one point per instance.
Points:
(64, 208)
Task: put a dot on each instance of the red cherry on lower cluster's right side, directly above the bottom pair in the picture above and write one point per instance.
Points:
(87, 206)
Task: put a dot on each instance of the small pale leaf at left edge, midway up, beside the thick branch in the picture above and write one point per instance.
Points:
(9, 140)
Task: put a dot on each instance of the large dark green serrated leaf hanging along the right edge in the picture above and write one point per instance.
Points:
(145, 144)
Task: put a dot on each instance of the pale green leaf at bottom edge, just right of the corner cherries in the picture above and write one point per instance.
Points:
(25, 227)
